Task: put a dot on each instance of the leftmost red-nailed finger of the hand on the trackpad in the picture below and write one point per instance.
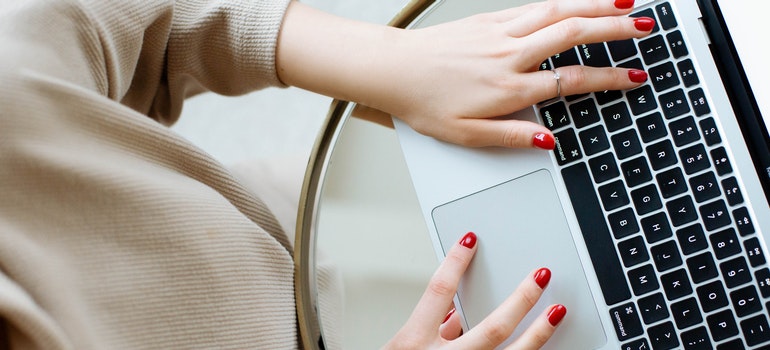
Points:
(431, 309)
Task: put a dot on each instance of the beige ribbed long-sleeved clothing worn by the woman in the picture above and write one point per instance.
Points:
(114, 232)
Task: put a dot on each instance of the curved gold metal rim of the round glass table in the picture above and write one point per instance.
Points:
(304, 243)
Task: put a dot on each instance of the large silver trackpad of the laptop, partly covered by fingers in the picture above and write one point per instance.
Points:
(521, 227)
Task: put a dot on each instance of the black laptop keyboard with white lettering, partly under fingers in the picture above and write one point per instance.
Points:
(658, 201)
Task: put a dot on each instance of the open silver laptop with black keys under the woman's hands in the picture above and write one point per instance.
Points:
(653, 210)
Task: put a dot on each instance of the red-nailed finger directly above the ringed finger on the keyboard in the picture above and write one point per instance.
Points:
(575, 31)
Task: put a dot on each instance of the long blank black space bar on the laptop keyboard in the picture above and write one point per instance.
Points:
(597, 237)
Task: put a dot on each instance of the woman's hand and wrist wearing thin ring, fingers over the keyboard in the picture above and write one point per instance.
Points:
(454, 80)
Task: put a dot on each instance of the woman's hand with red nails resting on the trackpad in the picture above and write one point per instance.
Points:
(431, 326)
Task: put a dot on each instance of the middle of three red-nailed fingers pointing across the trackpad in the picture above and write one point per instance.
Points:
(499, 324)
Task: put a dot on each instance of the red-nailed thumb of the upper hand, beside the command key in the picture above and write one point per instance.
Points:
(510, 133)
